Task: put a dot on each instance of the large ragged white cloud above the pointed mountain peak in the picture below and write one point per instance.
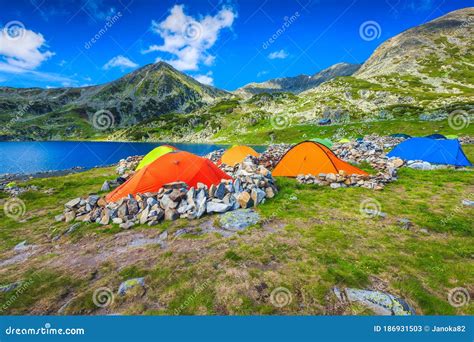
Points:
(188, 39)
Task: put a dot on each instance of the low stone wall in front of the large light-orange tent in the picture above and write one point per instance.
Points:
(342, 180)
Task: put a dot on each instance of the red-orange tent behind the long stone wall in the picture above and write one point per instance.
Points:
(171, 167)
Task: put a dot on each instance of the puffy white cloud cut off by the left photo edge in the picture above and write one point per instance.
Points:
(23, 53)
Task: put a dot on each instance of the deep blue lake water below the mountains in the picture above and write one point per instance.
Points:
(31, 157)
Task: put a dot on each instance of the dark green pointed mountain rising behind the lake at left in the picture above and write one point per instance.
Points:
(144, 94)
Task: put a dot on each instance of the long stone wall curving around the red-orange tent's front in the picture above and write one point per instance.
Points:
(251, 186)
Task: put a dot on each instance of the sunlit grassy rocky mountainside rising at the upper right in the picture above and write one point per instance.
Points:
(427, 67)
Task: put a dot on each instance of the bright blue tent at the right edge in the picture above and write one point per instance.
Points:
(431, 150)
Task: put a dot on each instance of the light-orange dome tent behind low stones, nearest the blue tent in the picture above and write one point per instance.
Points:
(309, 157)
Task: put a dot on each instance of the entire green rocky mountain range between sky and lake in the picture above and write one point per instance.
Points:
(426, 71)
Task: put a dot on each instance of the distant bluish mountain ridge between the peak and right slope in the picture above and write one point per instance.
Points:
(297, 84)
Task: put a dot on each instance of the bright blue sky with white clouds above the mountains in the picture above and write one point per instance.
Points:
(225, 43)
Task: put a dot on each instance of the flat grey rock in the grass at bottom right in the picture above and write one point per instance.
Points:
(380, 303)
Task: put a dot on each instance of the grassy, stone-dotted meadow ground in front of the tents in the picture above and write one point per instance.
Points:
(418, 247)
